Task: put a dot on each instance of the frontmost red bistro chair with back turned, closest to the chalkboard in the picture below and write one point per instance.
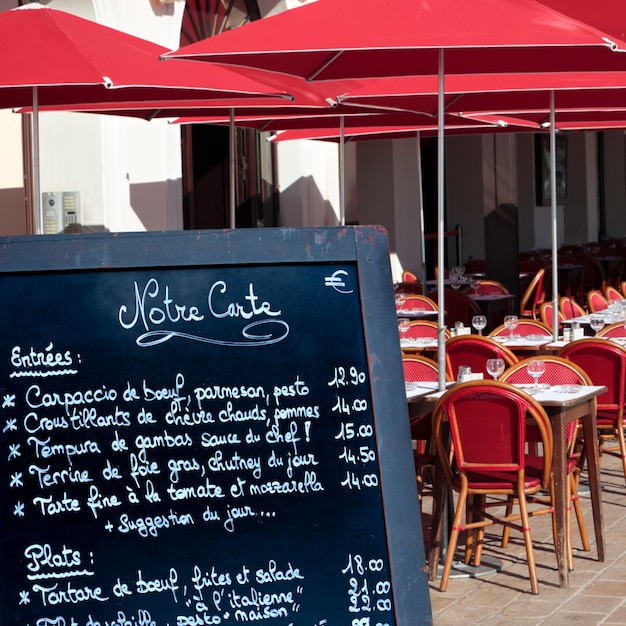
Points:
(487, 423)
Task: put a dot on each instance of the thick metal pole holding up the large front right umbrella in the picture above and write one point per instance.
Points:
(441, 328)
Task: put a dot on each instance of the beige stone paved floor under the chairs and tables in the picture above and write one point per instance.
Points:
(597, 591)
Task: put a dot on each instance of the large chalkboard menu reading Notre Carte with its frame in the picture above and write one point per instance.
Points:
(205, 428)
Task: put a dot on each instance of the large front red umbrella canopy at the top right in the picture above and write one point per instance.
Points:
(331, 39)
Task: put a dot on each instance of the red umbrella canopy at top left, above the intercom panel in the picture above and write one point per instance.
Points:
(71, 59)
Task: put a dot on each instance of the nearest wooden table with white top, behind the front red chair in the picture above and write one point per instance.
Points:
(562, 408)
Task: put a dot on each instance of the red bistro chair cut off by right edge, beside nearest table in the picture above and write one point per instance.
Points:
(605, 364)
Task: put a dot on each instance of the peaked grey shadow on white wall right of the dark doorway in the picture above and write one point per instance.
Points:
(302, 204)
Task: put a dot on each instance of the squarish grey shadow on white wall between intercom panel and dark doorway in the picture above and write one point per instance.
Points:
(148, 199)
